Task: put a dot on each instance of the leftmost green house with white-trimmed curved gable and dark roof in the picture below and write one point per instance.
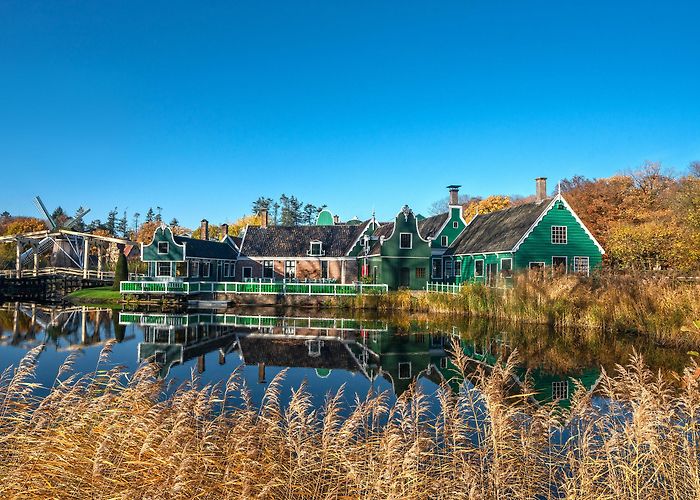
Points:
(172, 257)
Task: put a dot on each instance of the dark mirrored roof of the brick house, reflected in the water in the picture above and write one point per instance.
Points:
(295, 353)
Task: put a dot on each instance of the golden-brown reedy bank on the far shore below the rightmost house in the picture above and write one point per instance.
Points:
(662, 308)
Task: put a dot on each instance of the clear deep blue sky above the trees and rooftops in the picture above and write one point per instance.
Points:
(201, 108)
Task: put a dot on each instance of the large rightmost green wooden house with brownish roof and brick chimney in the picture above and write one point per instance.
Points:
(543, 236)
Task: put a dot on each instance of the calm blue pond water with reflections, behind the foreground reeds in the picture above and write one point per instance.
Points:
(323, 348)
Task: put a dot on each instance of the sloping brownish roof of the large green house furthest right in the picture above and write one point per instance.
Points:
(497, 231)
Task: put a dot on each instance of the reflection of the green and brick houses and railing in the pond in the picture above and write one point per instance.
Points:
(375, 349)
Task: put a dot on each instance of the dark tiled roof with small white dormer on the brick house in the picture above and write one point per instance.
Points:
(293, 241)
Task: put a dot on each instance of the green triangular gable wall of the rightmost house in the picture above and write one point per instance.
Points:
(538, 246)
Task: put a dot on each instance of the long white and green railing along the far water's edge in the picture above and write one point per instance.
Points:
(258, 288)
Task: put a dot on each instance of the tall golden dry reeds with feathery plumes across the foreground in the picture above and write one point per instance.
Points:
(106, 435)
